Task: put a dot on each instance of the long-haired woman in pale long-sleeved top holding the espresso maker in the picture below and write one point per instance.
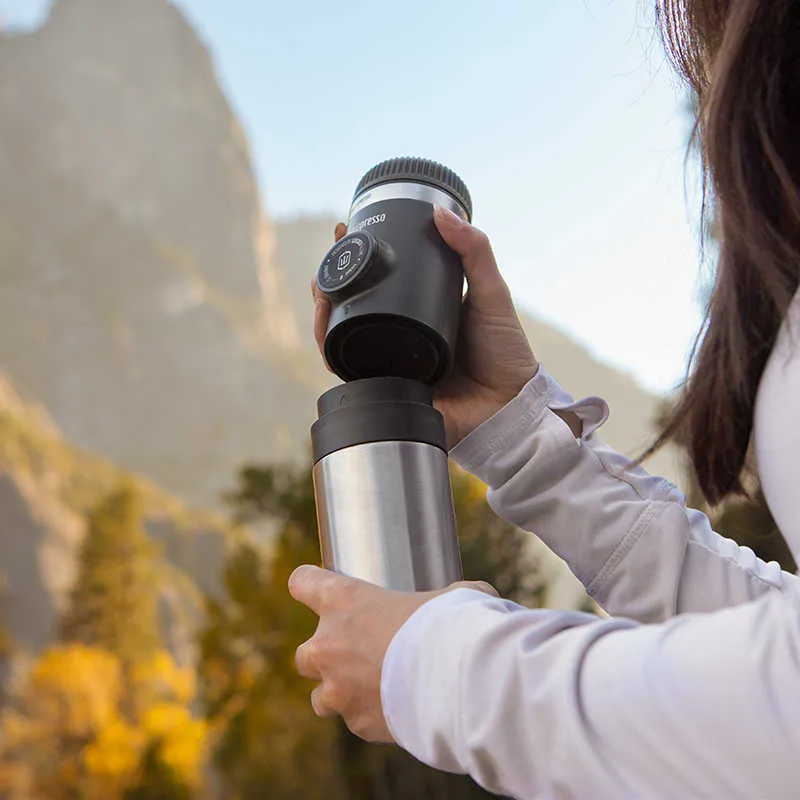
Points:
(692, 689)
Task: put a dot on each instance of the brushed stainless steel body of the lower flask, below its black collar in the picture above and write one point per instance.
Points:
(385, 512)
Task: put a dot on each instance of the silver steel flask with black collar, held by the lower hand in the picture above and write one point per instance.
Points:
(382, 486)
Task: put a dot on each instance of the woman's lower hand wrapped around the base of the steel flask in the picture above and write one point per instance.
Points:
(357, 621)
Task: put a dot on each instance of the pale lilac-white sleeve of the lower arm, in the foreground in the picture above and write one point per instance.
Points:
(547, 704)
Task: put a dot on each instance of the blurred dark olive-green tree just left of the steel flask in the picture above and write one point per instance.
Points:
(267, 739)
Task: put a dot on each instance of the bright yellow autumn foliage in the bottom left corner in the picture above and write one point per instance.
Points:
(80, 726)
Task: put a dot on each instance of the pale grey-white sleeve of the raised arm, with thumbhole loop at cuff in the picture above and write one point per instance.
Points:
(626, 535)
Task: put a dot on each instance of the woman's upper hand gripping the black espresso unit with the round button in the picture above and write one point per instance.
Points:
(493, 358)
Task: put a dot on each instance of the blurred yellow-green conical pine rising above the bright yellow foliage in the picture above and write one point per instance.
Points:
(114, 603)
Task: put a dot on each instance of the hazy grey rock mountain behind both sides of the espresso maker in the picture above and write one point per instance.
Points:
(146, 302)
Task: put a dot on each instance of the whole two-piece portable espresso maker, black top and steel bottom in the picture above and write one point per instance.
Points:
(381, 480)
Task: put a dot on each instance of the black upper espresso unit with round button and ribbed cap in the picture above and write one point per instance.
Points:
(394, 285)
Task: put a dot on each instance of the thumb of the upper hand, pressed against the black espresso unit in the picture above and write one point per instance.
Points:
(488, 290)
